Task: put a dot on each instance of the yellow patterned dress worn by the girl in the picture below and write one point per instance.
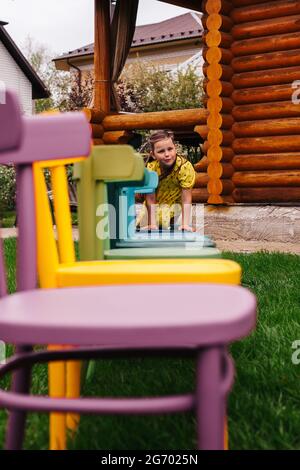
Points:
(168, 193)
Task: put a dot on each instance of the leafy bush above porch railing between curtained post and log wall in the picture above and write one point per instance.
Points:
(145, 88)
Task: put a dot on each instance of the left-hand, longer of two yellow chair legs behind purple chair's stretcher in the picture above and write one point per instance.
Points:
(57, 388)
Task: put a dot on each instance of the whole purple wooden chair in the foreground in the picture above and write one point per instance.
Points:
(180, 326)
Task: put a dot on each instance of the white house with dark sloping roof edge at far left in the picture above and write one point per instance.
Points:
(17, 74)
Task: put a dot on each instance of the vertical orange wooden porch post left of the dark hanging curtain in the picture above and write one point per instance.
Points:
(102, 56)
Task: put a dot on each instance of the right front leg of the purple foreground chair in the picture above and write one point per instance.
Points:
(210, 401)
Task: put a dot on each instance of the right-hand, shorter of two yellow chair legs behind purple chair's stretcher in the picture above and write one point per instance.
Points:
(73, 379)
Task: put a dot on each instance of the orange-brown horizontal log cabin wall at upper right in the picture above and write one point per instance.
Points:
(266, 62)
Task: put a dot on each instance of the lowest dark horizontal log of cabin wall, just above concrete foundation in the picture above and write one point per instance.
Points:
(271, 194)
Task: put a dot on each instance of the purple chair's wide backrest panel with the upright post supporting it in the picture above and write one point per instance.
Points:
(46, 137)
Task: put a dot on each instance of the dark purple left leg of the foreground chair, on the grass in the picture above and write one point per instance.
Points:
(17, 419)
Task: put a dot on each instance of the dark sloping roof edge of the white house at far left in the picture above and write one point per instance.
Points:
(39, 89)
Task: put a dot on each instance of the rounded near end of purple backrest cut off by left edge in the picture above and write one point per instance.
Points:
(10, 122)
